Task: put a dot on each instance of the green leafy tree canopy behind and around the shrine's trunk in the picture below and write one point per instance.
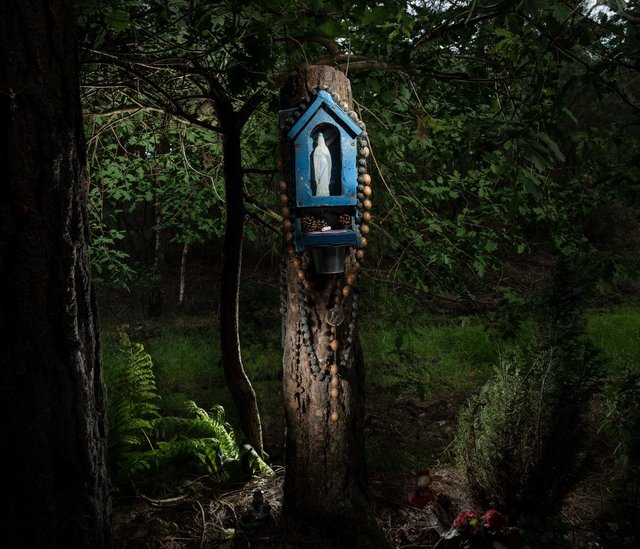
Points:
(499, 130)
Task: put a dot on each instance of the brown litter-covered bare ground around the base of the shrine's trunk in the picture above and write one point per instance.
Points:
(223, 517)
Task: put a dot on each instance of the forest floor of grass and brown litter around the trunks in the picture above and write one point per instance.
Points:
(407, 430)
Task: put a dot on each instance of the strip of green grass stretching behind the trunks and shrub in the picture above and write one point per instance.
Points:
(419, 361)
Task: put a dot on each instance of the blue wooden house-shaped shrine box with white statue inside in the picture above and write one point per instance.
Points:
(324, 149)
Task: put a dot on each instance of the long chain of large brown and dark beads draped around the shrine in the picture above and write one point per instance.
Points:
(341, 357)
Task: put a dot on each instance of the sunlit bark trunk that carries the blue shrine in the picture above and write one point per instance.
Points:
(325, 480)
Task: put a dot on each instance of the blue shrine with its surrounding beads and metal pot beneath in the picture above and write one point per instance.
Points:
(326, 193)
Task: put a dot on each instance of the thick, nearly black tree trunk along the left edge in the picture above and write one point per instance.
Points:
(52, 403)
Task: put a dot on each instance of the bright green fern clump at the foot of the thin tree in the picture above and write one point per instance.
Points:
(146, 448)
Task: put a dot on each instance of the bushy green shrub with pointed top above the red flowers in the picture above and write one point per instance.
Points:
(521, 440)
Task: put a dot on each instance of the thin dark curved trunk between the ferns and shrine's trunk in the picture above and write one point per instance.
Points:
(237, 381)
